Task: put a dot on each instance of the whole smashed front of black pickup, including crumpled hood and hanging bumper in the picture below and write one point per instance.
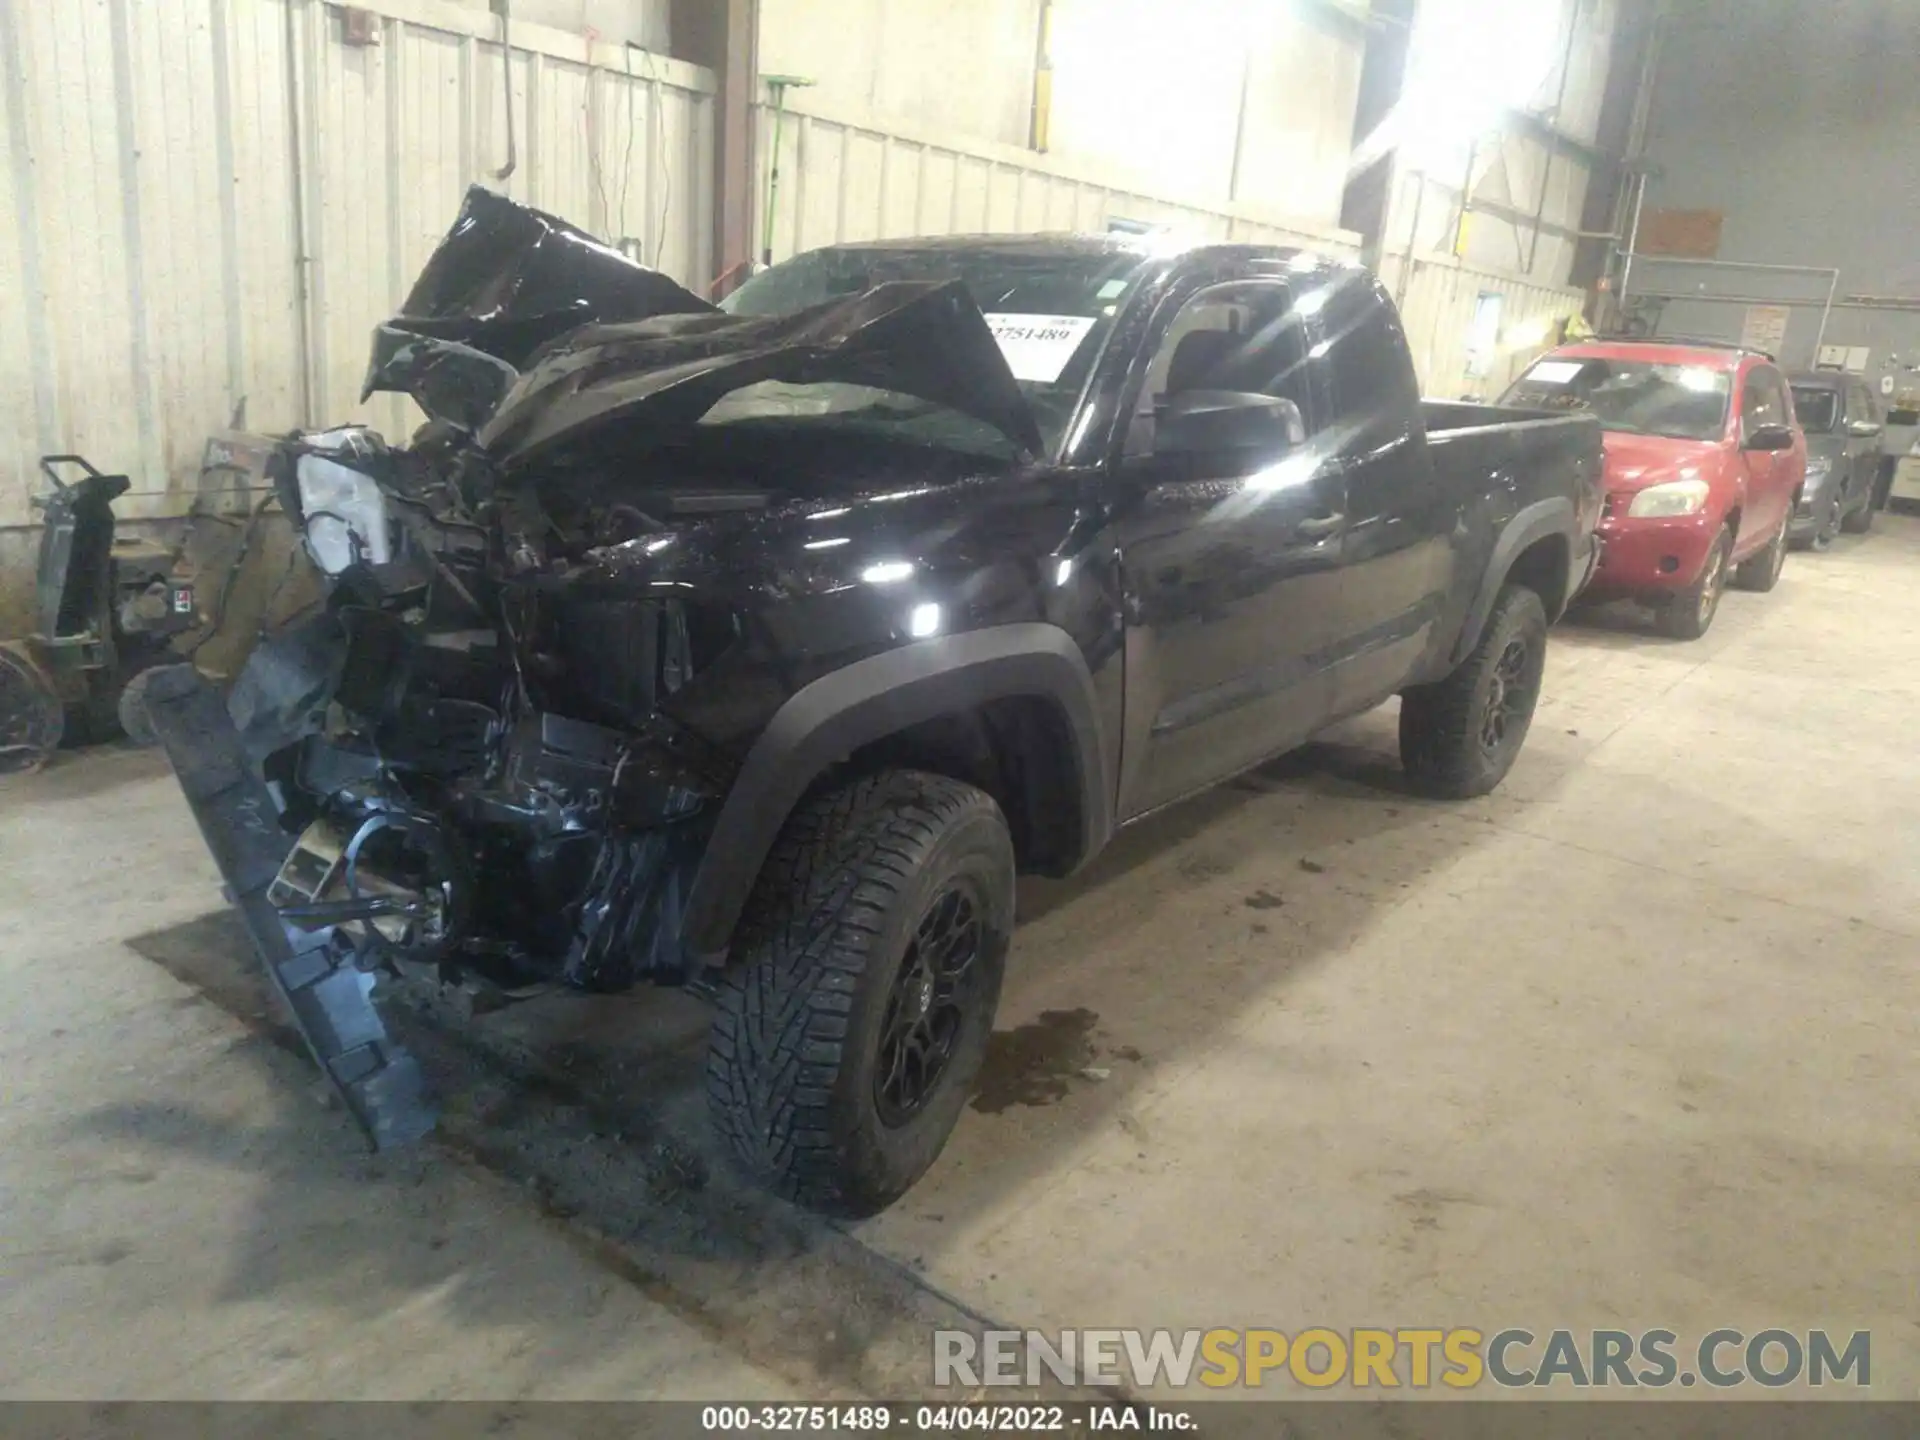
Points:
(468, 761)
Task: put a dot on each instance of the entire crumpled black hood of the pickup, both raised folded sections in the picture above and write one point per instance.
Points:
(531, 335)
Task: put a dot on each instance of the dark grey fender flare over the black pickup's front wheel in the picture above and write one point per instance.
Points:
(871, 700)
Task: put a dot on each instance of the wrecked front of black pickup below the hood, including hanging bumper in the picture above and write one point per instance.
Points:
(402, 782)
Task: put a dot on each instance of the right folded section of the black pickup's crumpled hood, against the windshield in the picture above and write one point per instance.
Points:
(911, 337)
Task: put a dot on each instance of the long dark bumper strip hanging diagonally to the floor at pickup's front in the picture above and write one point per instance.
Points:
(325, 994)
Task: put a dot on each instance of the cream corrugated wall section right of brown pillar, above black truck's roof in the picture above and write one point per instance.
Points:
(848, 178)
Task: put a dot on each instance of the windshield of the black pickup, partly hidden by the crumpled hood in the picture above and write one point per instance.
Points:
(1049, 312)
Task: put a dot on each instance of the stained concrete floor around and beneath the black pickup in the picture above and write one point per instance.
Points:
(1631, 1044)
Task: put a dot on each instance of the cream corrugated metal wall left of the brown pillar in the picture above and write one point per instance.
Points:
(168, 168)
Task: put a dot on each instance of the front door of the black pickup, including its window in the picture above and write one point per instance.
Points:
(1230, 556)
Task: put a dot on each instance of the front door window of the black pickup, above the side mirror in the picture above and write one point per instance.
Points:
(1232, 337)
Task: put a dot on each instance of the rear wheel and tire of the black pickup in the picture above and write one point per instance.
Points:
(1445, 727)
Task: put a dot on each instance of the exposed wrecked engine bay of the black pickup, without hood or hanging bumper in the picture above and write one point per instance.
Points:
(475, 761)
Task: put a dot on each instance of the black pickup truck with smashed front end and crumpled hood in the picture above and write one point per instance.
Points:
(759, 648)
